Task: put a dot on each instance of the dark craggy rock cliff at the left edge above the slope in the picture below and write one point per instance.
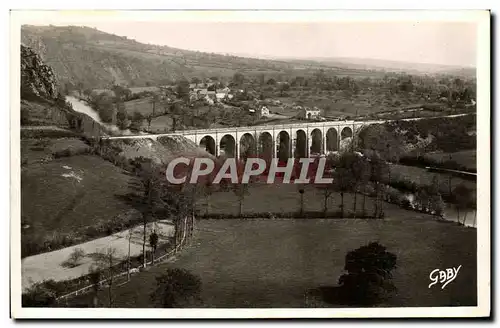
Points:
(37, 79)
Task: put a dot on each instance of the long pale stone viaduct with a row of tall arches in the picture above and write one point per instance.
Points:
(277, 141)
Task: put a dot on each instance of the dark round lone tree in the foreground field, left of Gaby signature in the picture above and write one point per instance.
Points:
(369, 275)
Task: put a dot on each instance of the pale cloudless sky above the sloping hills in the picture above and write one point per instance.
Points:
(448, 43)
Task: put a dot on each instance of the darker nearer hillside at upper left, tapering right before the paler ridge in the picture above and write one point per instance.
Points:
(98, 59)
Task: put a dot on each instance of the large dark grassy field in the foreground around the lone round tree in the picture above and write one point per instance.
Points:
(273, 263)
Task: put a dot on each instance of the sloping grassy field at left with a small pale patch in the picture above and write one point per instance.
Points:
(68, 194)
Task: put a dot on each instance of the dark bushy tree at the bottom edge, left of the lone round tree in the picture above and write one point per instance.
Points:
(176, 288)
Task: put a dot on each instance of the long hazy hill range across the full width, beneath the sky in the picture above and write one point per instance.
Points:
(98, 59)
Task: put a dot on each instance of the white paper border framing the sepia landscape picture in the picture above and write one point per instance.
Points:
(483, 150)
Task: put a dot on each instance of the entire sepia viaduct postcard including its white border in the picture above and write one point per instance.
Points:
(250, 164)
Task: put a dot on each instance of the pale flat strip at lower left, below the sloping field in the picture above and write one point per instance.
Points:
(49, 265)
